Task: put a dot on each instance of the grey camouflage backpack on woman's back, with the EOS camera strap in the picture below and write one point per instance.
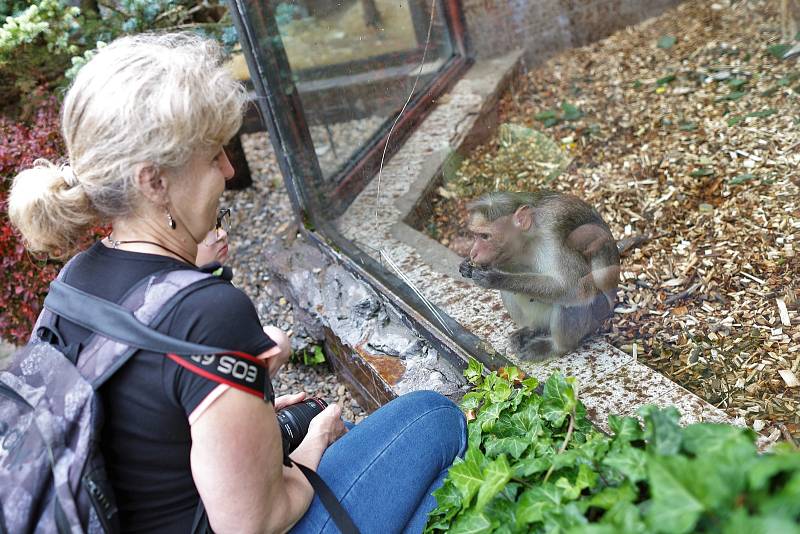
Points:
(52, 477)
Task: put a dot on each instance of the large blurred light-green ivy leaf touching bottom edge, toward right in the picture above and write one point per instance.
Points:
(673, 508)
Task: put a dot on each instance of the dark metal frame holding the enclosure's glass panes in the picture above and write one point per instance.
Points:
(282, 113)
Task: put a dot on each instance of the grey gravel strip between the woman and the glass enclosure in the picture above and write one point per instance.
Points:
(259, 213)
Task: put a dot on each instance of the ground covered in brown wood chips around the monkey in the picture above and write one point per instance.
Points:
(683, 129)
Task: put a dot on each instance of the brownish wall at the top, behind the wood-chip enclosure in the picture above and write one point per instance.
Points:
(543, 27)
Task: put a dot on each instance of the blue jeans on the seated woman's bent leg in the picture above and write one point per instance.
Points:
(384, 469)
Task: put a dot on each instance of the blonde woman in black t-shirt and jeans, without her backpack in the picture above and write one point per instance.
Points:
(144, 124)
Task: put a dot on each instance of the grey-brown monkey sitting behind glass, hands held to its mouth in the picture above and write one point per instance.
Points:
(555, 262)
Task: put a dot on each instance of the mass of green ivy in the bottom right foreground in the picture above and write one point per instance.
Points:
(535, 464)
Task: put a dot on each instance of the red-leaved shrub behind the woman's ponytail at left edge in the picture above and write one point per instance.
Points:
(23, 279)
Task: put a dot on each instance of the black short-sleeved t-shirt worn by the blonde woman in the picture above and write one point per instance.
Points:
(146, 438)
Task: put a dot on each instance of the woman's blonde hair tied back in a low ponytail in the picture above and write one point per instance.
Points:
(145, 99)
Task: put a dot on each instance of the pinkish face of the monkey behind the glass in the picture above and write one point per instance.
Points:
(496, 242)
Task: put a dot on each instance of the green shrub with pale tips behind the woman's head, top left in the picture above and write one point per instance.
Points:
(46, 43)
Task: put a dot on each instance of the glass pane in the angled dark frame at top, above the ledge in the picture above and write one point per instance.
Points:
(354, 63)
